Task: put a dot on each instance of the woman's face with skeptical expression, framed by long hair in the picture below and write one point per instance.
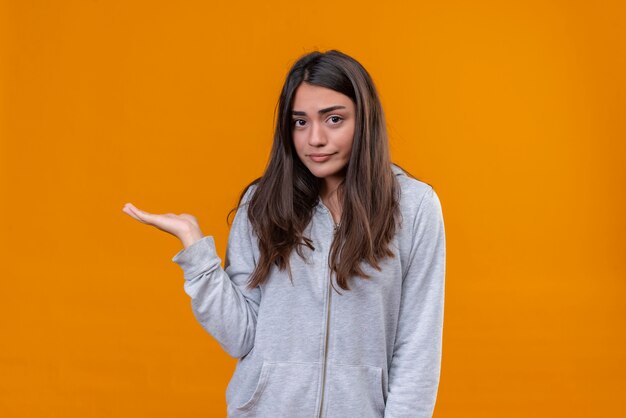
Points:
(323, 131)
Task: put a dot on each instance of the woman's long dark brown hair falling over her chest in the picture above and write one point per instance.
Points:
(282, 204)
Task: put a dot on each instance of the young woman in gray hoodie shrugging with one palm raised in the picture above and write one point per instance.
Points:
(333, 287)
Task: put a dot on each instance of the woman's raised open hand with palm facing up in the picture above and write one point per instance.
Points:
(184, 226)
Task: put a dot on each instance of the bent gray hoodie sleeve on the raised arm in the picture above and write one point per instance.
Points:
(220, 301)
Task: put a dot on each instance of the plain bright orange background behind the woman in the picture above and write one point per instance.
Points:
(514, 111)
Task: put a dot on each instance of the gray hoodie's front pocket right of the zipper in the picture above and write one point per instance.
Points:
(354, 391)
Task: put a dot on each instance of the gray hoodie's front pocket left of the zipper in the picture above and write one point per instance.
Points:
(284, 389)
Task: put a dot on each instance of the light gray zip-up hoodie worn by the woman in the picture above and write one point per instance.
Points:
(307, 351)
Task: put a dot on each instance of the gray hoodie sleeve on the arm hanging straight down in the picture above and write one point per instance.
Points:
(416, 363)
